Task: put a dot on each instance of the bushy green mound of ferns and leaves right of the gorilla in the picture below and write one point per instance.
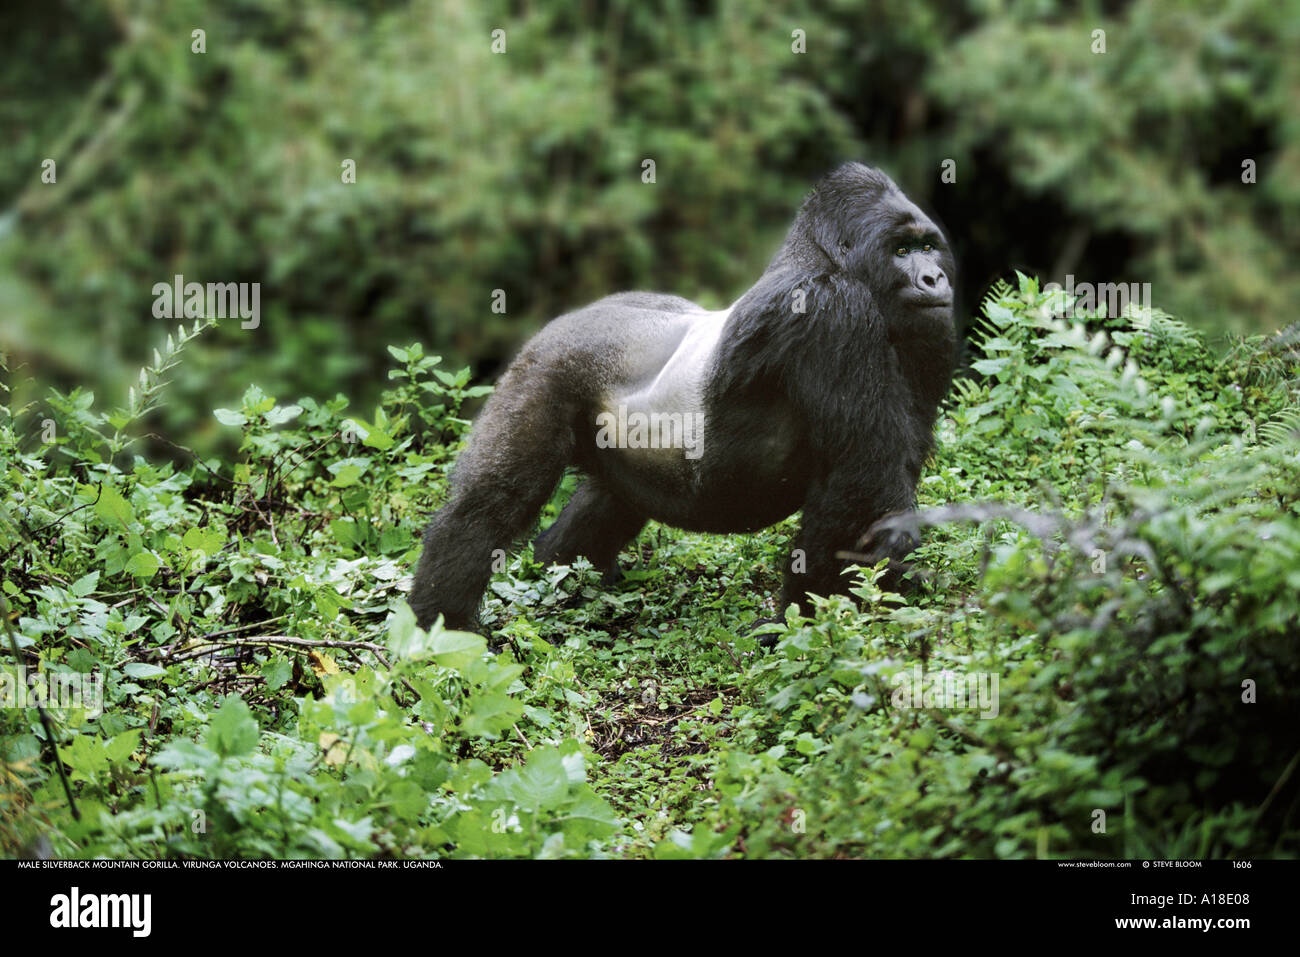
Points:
(1145, 629)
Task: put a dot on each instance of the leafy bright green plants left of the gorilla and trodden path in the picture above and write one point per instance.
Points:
(216, 601)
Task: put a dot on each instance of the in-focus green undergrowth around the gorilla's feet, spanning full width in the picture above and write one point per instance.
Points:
(1111, 532)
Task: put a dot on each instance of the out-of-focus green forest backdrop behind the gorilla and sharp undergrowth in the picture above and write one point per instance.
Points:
(523, 171)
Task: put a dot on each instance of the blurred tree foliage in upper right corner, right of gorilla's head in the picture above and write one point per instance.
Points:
(1138, 154)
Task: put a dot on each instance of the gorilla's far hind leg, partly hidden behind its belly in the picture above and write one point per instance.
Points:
(595, 525)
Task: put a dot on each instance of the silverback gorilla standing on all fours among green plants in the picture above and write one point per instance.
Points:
(817, 389)
